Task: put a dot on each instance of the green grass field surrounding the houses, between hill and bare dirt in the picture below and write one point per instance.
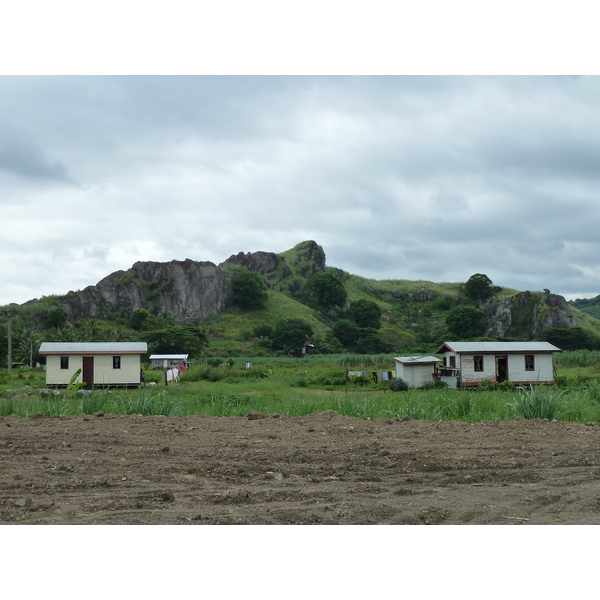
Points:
(297, 387)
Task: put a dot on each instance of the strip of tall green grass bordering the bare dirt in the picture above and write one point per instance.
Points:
(224, 400)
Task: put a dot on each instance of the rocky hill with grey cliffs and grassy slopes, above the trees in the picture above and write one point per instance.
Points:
(413, 312)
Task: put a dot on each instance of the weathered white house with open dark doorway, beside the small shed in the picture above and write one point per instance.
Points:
(522, 363)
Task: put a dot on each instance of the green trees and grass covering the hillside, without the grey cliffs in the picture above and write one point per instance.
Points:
(301, 303)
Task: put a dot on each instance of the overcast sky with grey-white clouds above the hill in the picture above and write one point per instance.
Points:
(396, 177)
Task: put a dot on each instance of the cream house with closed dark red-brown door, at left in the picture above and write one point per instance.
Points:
(102, 364)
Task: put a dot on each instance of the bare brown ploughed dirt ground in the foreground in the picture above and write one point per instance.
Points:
(320, 469)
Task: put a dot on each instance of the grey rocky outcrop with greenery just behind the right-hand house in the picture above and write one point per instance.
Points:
(528, 314)
